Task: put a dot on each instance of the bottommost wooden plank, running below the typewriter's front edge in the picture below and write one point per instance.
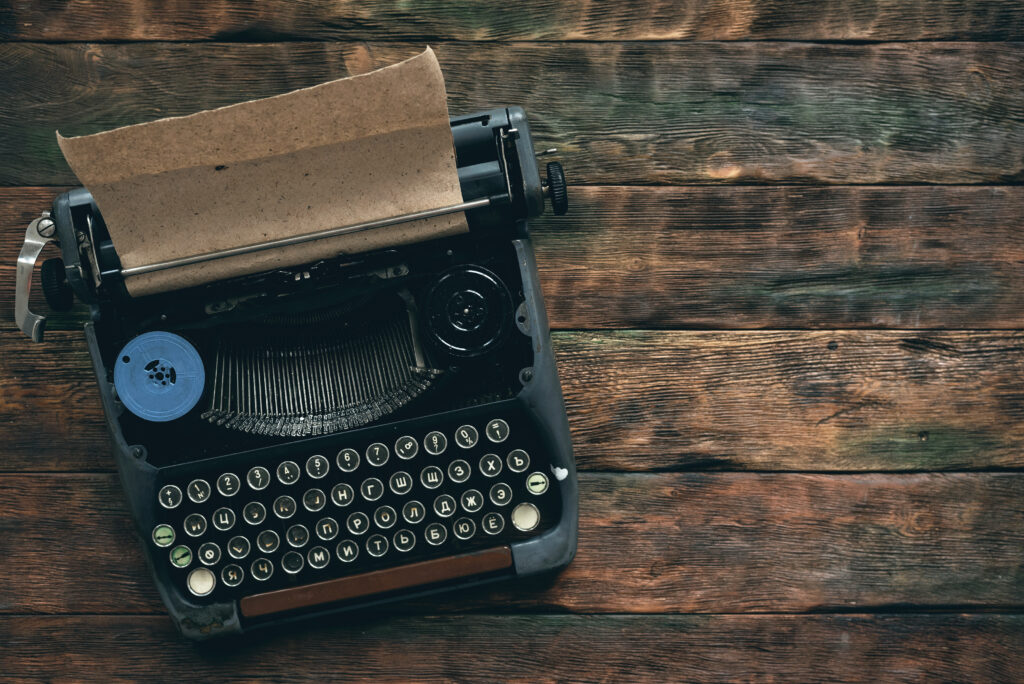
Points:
(534, 649)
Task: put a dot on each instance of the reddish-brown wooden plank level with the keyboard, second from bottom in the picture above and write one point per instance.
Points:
(649, 544)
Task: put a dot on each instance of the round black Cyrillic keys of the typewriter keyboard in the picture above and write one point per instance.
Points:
(311, 517)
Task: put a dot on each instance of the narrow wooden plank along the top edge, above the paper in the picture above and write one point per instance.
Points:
(536, 20)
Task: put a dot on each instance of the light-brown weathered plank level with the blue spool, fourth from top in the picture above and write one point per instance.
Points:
(839, 401)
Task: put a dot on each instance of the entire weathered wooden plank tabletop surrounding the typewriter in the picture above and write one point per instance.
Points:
(788, 305)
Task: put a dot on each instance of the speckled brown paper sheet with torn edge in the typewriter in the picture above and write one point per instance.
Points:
(346, 152)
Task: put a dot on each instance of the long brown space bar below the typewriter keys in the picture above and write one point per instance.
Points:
(378, 582)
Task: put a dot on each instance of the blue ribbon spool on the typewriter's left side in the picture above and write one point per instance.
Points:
(159, 376)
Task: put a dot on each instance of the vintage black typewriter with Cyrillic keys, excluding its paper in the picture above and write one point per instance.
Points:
(340, 435)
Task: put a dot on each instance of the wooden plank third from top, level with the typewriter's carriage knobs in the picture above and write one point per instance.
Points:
(745, 258)
